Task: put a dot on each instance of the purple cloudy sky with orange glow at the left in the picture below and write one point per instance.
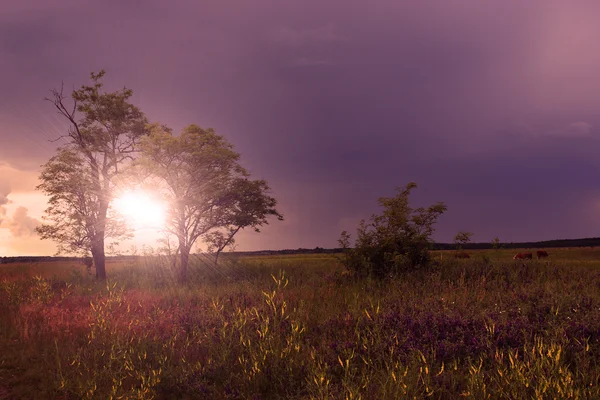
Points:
(491, 107)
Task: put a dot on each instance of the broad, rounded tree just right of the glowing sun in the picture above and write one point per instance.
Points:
(209, 193)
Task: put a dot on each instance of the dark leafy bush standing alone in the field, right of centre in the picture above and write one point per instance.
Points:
(394, 241)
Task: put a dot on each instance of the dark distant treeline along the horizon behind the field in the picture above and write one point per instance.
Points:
(587, 242)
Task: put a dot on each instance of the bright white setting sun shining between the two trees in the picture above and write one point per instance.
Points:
(140, 209)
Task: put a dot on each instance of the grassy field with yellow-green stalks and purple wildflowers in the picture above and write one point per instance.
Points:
(298, 327)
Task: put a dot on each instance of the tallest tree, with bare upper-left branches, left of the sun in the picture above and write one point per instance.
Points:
(104, 129)
